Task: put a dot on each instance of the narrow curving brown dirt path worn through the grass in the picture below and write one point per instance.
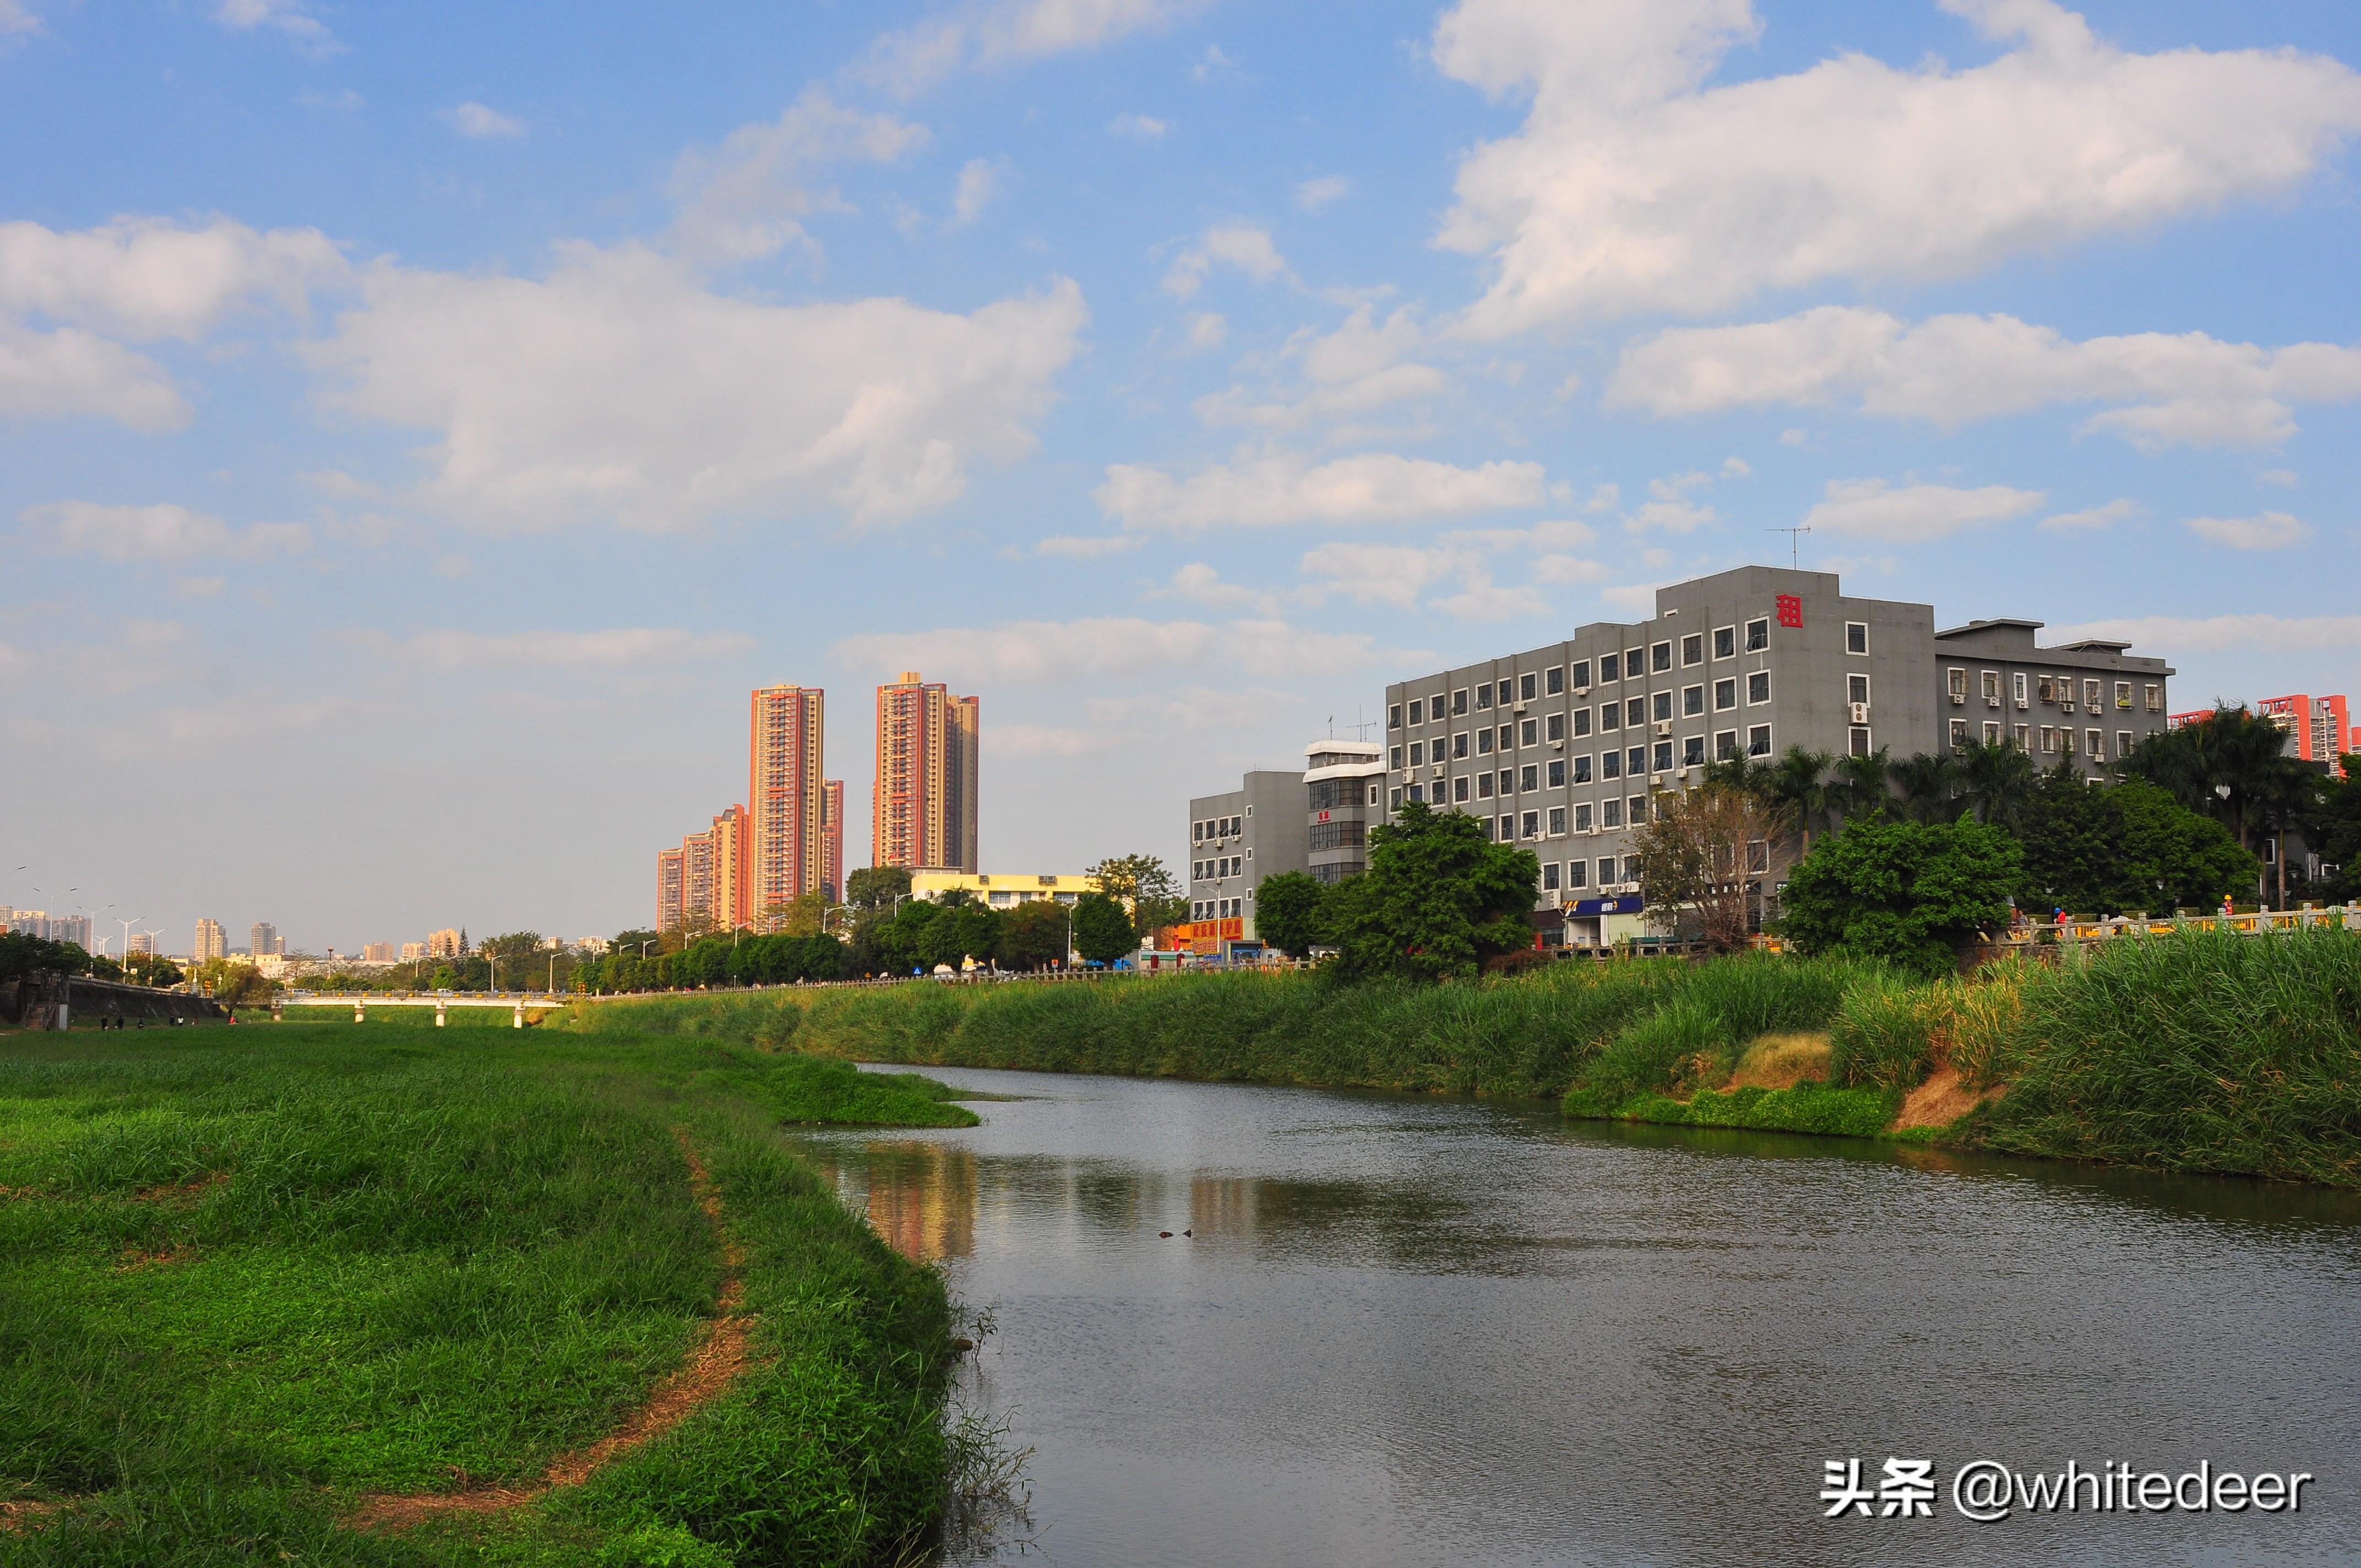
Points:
(709, 1371)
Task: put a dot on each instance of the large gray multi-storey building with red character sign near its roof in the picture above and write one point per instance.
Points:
(1562, 747)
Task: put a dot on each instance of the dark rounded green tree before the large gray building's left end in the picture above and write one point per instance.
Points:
(1437, 901)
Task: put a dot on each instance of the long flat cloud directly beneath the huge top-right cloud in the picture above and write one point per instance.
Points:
(1954, 370)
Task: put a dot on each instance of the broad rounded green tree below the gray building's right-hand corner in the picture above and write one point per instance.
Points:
(1902, 891)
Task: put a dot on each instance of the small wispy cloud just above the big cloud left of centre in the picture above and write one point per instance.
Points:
(750, 195)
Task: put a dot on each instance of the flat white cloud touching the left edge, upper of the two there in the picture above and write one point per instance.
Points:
(145, 277)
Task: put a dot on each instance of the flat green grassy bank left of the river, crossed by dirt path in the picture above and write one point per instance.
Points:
(268, 1283)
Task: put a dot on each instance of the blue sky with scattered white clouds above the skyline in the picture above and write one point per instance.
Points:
(421, 426)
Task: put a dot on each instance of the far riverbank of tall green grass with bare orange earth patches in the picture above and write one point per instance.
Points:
(2192, 1052)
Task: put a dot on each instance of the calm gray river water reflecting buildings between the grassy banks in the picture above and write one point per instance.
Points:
(1418, 1331)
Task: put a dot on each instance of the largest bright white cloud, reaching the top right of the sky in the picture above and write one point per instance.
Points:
(1633, 188)
